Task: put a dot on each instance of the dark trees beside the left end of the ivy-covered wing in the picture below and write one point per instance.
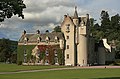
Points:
(7, 47)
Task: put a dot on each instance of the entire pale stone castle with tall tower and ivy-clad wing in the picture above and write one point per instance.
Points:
(73, 46)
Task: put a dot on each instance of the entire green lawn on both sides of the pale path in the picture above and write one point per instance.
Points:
(104, 73)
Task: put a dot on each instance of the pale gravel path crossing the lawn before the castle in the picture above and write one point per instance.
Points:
(77, 67)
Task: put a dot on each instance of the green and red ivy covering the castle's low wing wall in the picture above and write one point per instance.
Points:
(50, 48)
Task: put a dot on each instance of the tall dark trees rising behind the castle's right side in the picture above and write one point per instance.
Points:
(109, 28)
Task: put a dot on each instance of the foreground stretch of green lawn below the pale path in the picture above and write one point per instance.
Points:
(67, 74)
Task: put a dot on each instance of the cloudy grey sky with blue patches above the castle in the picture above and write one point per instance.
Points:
(46, 14)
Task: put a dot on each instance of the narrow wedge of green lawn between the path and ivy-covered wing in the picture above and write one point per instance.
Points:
(15, 67)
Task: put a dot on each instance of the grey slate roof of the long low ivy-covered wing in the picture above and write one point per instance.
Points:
(33, 37)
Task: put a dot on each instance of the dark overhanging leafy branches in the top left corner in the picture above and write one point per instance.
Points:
(8, 8)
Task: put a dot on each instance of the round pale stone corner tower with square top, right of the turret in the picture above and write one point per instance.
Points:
(83, 37)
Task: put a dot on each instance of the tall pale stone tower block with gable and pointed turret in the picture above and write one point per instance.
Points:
(76, 33)
